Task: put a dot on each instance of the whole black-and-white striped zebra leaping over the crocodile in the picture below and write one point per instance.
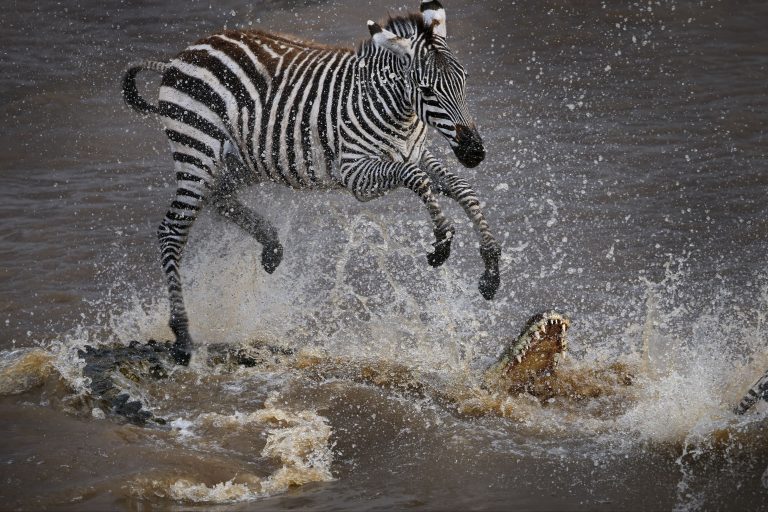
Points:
(240, 107)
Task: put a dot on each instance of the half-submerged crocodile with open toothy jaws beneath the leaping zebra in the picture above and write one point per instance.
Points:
(114, 369)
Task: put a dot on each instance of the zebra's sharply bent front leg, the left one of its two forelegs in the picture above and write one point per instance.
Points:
(369, 178)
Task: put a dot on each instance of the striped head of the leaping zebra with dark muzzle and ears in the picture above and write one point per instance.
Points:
(437, 80)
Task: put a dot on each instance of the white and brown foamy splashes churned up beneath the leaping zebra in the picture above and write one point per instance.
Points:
(668, 378)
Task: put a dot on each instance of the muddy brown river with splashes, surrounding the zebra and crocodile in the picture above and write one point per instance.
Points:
(626, 177)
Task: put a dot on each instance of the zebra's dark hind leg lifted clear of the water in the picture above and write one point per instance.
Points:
(254, 224)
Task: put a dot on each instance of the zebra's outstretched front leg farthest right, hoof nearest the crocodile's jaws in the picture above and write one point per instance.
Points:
(459, 190)
